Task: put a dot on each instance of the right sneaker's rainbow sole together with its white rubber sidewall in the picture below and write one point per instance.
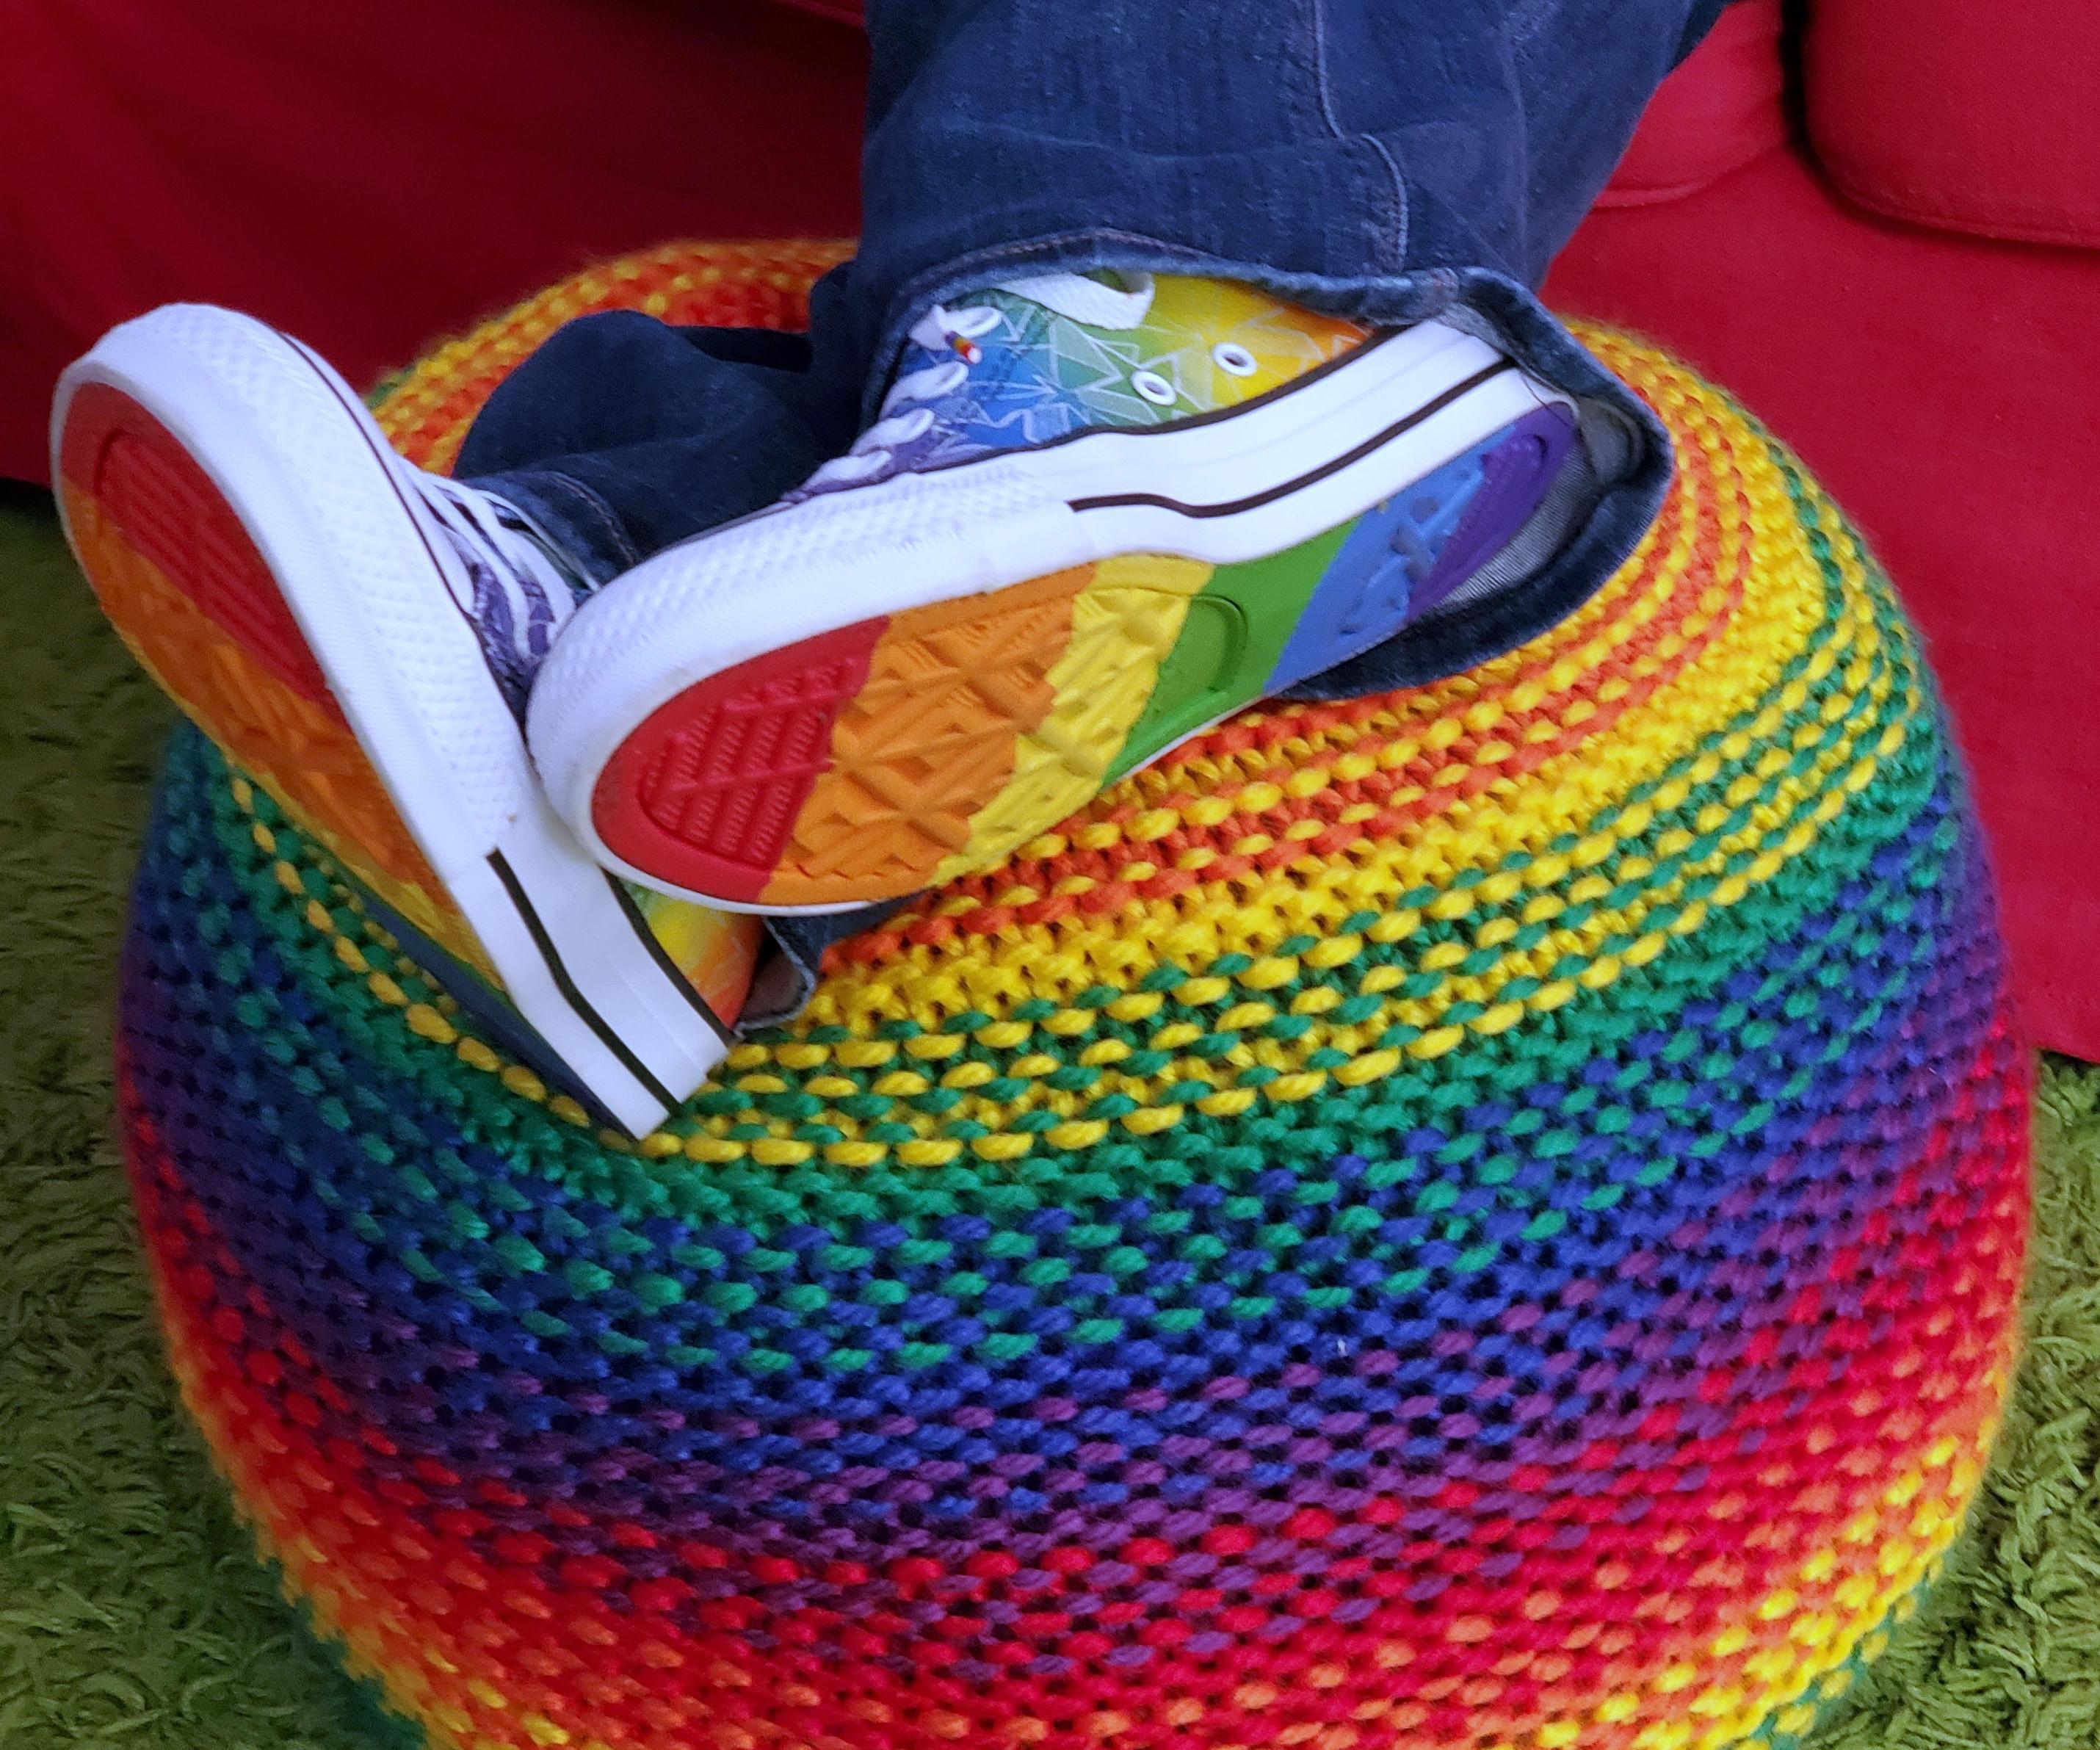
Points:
(906, 749)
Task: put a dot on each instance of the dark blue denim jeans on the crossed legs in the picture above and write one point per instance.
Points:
(1374, 159)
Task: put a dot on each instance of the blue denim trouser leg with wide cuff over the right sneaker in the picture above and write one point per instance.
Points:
(1358, 157)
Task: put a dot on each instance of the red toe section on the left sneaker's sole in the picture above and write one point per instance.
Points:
(173, 514)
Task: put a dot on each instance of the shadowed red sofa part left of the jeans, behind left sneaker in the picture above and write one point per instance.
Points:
(371, 175)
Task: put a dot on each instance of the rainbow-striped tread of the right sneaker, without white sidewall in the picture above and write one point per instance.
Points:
(912, 749)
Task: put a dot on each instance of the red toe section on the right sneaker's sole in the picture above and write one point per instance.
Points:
(709, 789)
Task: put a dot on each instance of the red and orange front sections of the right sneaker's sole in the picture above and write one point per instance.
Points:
(841, 768)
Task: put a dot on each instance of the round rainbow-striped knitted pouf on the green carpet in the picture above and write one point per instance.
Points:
(1488, 1215)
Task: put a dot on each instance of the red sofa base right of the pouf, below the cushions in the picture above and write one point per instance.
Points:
(1946, 392)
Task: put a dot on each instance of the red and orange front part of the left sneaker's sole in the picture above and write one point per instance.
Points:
(198, 606)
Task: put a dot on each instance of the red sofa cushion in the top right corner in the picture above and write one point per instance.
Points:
(1965, 117)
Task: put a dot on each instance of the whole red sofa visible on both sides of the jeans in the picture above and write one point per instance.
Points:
(1885, 236)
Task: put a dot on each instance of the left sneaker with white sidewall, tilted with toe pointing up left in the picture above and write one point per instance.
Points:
(360, 636)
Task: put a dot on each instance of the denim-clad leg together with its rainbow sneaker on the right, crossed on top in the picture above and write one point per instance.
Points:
(1311, 226)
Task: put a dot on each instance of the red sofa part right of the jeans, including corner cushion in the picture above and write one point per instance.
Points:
(1889, 245)
